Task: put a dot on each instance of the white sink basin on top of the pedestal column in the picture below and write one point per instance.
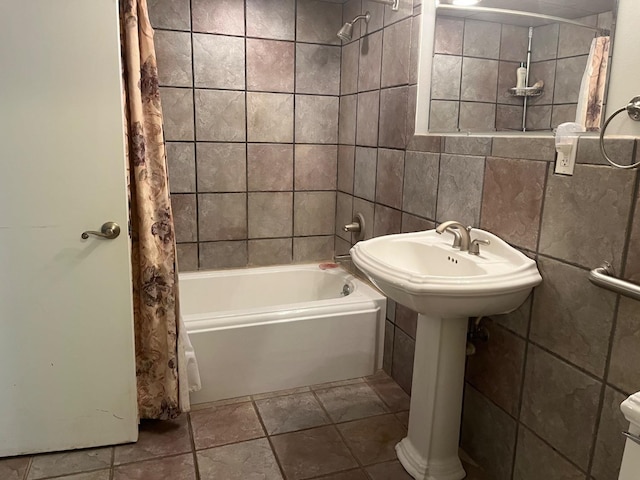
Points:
(422, 271)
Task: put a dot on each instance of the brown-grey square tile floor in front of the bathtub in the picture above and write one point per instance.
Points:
(337, 431)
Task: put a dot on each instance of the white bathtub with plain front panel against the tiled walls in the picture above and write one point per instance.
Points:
(264, 329)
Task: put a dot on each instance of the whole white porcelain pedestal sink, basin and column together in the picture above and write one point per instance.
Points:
(445, 286)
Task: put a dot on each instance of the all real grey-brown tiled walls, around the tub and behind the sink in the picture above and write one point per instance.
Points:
(542, 396)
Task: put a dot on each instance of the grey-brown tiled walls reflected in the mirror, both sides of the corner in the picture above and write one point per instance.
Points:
(475, 64)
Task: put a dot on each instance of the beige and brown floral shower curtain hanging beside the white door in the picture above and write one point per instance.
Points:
(155, 286)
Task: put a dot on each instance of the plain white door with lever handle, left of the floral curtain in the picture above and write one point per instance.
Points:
(67, 373)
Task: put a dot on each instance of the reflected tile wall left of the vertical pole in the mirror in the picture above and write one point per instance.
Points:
(474, 65)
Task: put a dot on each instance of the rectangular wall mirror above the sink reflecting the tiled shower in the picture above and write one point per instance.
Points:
(478, 52)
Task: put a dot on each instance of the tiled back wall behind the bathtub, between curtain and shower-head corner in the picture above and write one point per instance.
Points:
(250, 94)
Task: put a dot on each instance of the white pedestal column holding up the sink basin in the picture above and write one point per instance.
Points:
(430, 449)
